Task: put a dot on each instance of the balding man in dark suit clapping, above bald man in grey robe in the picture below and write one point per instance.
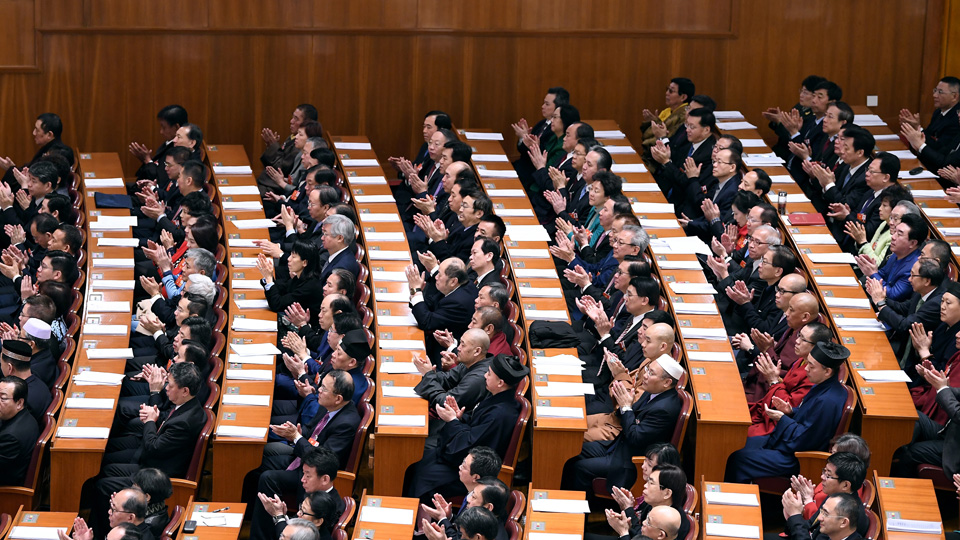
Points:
(445, 303)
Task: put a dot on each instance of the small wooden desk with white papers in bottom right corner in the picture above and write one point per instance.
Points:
(906, 498)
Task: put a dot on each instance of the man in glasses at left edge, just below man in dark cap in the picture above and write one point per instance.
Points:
(18, 431)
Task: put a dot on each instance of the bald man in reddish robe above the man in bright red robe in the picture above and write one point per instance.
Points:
(804, 308)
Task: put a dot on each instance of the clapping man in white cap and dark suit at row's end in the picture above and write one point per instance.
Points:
(646, 419)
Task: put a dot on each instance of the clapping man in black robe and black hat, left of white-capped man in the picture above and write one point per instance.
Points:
(490, 423)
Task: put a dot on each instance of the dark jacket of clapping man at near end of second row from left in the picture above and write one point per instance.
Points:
(168, 446)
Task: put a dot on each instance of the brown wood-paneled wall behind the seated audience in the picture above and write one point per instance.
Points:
(373, 67)
